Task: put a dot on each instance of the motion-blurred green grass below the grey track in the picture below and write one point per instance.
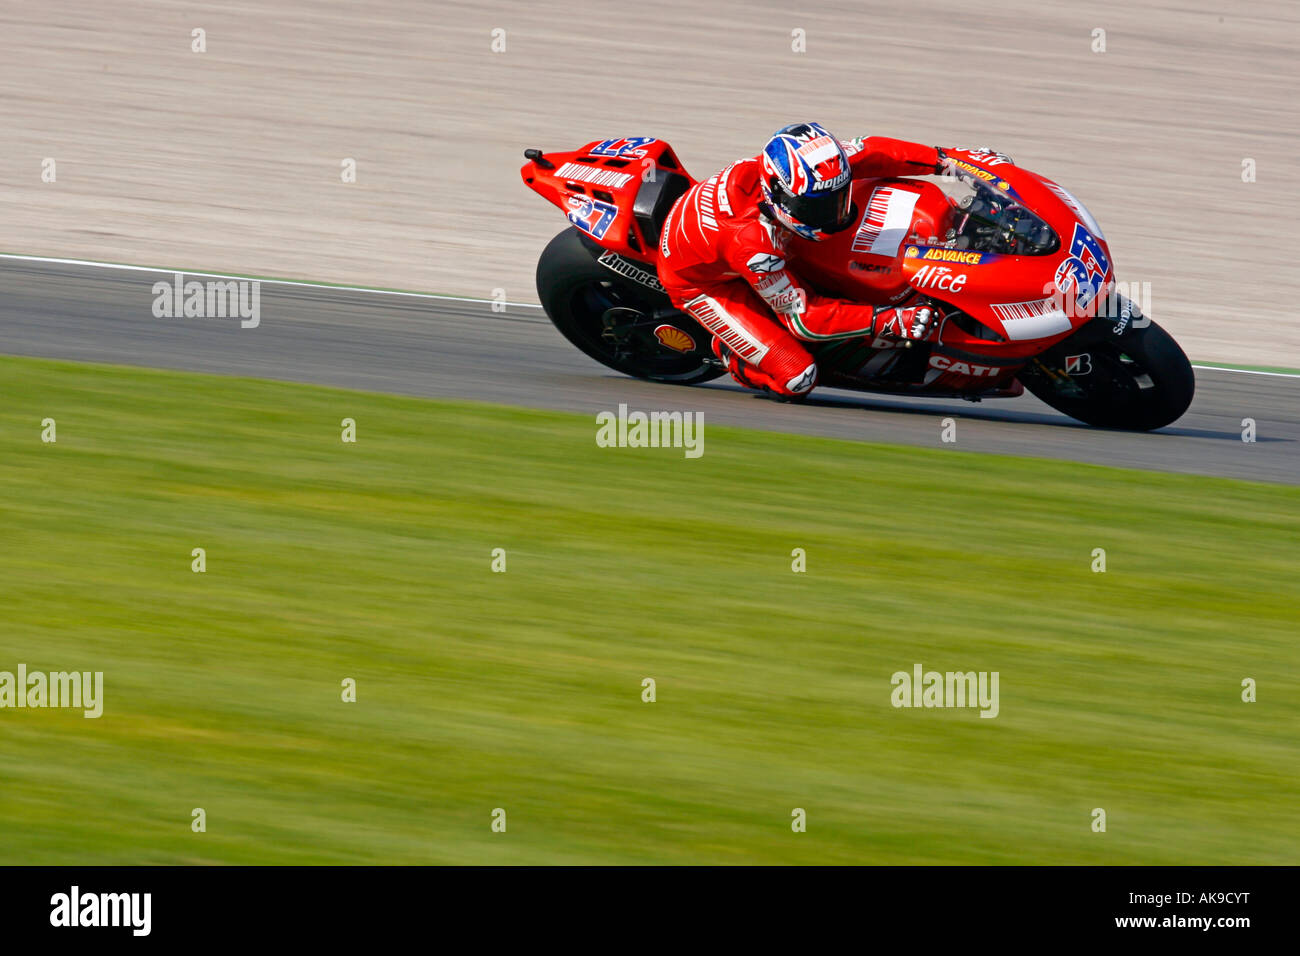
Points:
(523, 690)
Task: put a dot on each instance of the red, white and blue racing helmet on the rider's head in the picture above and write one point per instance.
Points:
(807, 181)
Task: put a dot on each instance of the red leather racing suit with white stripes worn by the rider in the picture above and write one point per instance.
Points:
(725, 263)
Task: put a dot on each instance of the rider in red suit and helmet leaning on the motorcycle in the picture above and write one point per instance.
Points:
(722, 253)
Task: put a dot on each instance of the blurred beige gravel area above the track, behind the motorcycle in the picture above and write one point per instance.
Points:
(231, 161)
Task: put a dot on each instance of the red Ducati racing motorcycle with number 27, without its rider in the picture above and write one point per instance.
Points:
(1017, 269)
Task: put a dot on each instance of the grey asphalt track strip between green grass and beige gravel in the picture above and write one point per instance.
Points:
(461, 349)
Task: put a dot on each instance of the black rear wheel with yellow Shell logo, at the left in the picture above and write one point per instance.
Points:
(617, 321)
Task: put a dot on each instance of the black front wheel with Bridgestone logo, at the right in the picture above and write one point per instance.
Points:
(1139, 382)
